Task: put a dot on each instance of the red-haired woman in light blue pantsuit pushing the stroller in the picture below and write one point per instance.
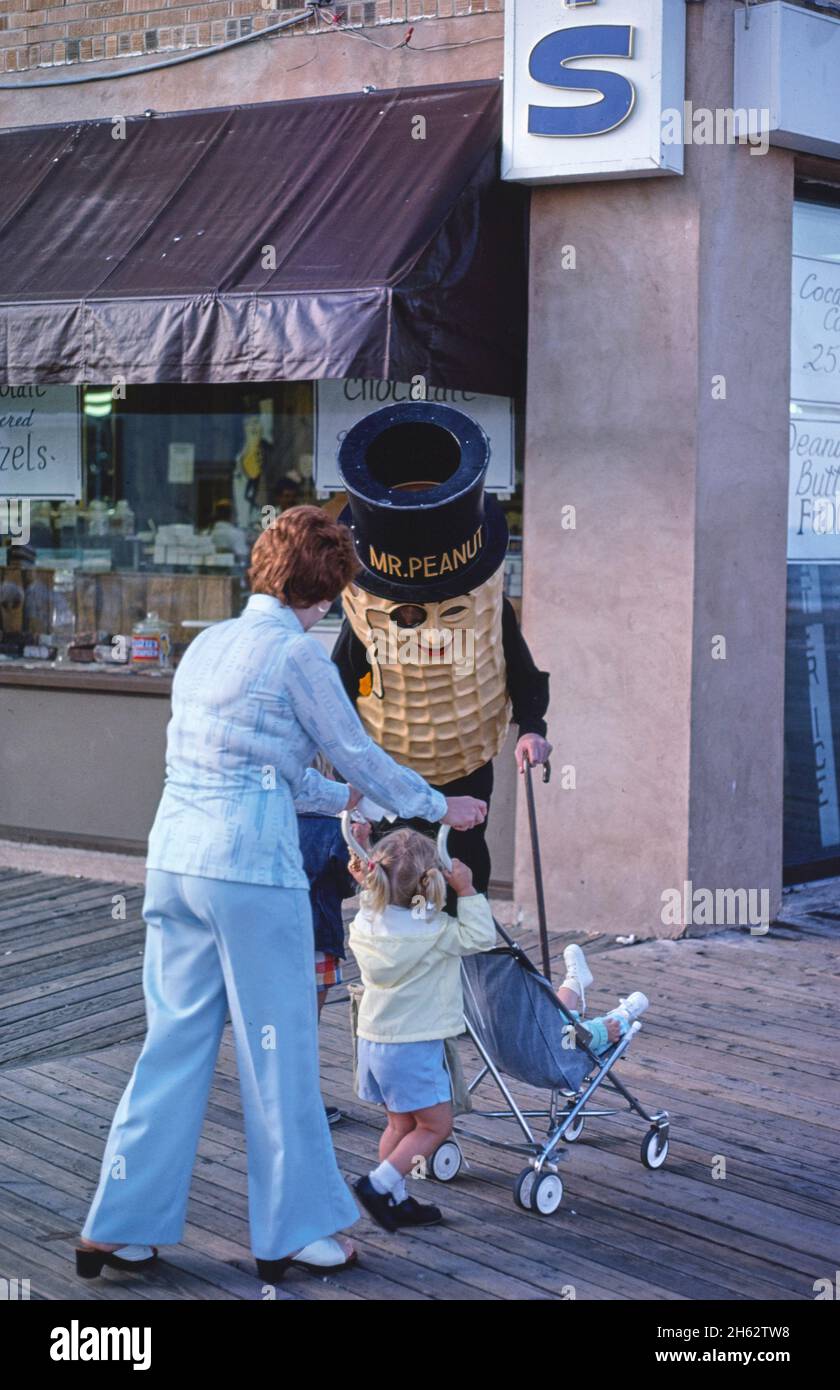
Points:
(229, 918)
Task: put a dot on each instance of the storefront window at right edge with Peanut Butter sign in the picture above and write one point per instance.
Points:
(813, 668)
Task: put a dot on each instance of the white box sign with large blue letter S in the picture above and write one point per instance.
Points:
(588, 88)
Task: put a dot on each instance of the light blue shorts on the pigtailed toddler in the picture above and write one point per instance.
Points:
(403, 1077)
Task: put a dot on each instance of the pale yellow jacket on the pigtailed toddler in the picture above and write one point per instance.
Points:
(411, 970)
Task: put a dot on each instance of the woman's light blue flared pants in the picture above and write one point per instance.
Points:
(211, 947)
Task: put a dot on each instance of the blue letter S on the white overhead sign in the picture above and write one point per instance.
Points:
(549, 63)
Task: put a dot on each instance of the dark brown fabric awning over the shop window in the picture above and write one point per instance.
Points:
(355, 236)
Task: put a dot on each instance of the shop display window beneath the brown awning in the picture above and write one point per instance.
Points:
(150, 500)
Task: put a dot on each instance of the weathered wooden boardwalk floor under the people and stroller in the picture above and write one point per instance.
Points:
(742, 1046)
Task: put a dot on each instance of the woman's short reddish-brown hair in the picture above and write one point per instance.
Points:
(304, 558)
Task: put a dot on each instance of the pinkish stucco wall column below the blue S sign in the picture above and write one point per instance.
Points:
(681, 290)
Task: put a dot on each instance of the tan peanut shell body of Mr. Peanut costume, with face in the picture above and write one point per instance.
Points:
(437, 694)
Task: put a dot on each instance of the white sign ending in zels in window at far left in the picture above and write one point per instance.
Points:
(41, 443)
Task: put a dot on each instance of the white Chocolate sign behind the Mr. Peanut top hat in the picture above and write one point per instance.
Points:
(341, 404)
